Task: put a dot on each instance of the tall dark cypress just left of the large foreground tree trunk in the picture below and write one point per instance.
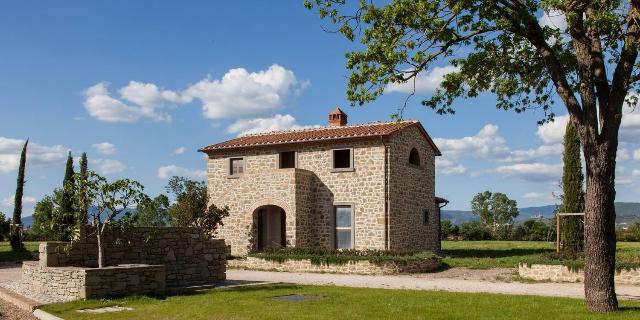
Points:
(572, 228)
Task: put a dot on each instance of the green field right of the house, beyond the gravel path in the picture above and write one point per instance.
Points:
(508, 254)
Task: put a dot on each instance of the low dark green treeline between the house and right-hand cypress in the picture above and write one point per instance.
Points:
(530, 230)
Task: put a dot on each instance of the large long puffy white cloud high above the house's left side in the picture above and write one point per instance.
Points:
(239, 93)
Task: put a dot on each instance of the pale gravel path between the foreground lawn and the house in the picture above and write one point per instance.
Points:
(429, 282)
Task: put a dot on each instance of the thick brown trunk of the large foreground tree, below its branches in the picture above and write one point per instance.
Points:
(600, 236)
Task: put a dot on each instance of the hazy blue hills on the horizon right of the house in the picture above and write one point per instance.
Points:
(626, 213)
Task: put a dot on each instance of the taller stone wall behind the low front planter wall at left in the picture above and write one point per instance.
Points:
(189, 256)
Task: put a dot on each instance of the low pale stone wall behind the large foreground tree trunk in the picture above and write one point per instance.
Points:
(559, 273)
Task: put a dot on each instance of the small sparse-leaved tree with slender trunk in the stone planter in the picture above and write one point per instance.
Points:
(109, 199)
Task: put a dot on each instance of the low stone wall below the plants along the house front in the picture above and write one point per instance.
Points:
(356, 267)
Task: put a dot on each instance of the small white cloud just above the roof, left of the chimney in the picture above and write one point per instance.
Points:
(276, 123)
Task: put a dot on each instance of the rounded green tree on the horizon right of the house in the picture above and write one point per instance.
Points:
(496, 211)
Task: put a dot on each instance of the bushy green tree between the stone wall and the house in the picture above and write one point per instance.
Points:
(192, 207)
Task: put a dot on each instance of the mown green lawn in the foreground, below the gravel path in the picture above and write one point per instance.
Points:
(255, 302)
